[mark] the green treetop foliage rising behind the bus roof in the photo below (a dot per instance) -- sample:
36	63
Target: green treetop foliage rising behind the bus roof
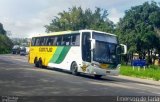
77	18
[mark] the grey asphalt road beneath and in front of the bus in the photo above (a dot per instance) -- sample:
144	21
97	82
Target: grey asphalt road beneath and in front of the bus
18	78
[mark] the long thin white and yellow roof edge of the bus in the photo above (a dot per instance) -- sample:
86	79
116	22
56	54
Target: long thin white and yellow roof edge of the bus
70	32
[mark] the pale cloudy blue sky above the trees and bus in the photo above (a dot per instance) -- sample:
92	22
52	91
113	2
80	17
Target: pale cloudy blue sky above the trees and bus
25	18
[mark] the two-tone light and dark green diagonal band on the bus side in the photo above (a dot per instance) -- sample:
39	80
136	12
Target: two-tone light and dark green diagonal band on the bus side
60	54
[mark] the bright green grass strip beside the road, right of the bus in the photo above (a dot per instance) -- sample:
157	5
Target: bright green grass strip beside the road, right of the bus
152	72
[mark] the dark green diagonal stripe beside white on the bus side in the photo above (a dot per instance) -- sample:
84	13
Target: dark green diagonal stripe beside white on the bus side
63	54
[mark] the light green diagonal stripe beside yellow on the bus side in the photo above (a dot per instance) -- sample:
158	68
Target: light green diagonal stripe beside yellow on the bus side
56	54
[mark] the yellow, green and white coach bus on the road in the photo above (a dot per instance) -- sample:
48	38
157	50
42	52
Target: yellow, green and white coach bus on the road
84	51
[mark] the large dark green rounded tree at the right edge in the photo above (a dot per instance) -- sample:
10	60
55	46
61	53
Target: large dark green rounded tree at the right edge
138	29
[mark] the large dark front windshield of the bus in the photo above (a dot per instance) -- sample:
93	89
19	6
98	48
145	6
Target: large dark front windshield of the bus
105	48
